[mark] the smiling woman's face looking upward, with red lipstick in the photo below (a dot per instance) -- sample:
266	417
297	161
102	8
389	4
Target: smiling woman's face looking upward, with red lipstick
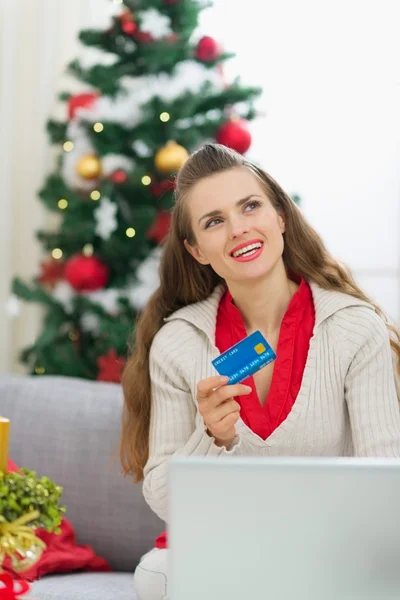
237	230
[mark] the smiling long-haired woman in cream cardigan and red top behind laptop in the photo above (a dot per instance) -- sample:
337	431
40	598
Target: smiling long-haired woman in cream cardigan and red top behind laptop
241	257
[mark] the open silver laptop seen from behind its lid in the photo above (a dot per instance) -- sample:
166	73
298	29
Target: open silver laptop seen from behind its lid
284	529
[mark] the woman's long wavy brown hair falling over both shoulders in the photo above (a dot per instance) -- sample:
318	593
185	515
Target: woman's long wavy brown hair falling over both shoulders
184	281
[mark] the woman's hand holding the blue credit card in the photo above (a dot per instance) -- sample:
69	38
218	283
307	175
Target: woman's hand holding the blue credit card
218	408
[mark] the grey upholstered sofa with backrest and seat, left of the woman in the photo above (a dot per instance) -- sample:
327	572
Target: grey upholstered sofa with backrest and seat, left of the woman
69	429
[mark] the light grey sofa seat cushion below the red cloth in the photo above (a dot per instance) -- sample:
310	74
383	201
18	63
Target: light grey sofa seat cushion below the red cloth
85	586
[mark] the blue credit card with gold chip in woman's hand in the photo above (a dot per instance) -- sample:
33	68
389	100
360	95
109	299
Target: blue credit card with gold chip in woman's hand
245	358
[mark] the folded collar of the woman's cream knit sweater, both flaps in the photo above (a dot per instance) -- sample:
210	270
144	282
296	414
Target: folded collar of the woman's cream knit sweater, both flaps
203	315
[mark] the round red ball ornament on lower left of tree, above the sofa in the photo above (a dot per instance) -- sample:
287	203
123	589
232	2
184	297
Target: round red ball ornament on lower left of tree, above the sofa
86	273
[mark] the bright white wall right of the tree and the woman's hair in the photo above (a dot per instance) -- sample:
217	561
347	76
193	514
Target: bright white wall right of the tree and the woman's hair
331	131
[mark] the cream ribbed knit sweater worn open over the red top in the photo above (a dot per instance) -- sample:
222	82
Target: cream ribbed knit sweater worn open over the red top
347	404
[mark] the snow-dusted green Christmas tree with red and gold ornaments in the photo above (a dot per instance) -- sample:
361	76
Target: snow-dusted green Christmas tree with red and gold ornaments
138	115
